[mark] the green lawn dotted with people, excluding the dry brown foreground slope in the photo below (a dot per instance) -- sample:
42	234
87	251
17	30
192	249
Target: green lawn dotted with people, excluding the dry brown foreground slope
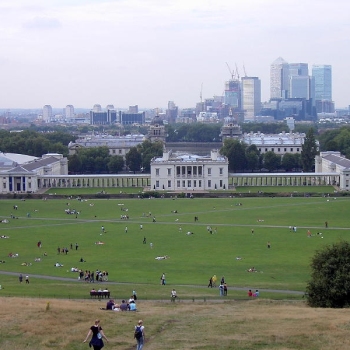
193	258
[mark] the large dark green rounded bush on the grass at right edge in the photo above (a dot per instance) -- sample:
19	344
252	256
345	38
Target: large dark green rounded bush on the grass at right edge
330	279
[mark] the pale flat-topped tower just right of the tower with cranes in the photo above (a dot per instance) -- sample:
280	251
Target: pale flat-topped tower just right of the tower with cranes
251	97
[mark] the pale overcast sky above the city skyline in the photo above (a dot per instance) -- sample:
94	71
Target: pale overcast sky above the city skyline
149	52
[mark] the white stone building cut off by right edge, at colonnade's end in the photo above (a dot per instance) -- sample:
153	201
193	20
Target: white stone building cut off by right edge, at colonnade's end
334	162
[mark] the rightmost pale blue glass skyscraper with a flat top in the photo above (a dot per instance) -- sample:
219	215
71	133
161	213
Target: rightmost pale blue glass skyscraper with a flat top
322	74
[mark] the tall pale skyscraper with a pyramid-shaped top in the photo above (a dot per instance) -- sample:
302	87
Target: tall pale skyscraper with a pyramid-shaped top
279	78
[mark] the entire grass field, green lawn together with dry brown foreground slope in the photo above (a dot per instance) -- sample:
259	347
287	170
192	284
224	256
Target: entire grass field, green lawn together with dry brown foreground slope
200	319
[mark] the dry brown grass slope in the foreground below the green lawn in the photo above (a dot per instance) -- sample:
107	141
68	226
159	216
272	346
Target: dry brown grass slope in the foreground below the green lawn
255	325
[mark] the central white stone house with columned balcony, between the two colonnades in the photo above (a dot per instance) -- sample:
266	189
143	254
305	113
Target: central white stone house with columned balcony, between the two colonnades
174	172
